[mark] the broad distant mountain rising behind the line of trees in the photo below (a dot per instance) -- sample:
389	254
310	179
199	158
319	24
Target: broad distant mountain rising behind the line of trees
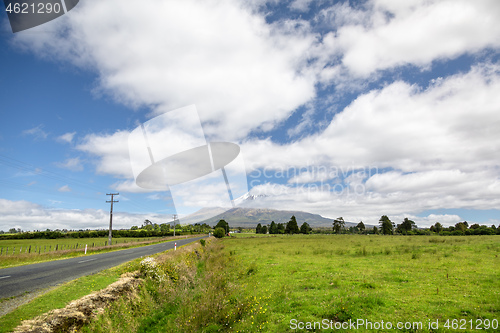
250	217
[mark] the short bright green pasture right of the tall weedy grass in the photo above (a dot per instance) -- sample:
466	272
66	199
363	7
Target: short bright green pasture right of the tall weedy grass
340	277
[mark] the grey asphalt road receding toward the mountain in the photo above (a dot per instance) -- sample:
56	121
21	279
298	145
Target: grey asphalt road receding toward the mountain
15	281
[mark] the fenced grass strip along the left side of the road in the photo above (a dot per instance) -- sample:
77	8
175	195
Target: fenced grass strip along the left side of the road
67	248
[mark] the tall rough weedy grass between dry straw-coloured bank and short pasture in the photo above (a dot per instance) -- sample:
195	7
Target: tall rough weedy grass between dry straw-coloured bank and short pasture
197	295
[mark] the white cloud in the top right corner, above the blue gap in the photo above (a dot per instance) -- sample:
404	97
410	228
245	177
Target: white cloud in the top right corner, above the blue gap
417	33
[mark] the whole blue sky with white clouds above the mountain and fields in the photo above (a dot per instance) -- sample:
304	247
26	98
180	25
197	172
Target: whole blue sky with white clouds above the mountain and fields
340	108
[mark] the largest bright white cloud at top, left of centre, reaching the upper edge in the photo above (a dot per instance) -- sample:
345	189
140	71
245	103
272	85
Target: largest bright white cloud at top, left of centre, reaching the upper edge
242	73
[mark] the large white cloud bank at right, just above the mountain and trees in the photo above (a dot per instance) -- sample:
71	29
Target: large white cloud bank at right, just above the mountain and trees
441	143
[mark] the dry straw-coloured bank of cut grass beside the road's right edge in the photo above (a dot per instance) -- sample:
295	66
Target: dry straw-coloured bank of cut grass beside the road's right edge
80	311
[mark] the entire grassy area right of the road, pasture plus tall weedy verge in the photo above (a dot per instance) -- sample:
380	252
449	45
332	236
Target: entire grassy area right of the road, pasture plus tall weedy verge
308	283
